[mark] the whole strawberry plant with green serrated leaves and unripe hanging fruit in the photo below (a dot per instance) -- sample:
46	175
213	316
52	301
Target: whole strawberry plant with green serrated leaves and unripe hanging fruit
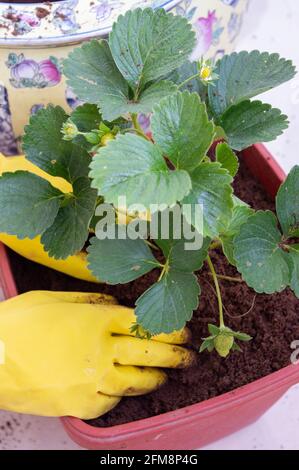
103	152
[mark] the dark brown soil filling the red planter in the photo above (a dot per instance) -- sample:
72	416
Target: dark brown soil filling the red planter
273	323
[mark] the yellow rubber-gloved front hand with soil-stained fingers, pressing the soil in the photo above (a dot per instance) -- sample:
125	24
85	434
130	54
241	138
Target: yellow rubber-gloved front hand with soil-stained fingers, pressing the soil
73	354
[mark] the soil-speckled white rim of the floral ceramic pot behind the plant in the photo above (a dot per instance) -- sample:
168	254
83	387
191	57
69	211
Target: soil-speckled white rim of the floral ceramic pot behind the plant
68	21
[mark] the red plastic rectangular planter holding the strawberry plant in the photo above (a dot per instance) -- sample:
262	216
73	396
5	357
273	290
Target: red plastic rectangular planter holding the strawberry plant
197	425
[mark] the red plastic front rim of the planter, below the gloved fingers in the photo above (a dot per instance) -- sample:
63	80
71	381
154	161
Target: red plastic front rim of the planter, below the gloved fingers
205	408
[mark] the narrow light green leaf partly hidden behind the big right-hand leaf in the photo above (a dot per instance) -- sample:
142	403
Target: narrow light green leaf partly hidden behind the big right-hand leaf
240	216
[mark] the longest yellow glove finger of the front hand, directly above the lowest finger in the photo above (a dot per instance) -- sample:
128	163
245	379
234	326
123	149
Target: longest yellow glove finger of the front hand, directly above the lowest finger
141	352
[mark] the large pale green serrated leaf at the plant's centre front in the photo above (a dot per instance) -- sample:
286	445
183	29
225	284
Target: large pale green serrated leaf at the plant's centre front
133	167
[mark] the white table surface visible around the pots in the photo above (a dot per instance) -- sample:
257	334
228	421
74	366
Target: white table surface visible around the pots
271	25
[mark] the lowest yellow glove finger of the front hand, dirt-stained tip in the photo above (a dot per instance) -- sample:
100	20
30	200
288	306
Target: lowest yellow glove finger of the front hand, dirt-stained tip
131	381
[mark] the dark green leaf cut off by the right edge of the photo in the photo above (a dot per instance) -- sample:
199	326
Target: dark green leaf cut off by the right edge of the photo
287	204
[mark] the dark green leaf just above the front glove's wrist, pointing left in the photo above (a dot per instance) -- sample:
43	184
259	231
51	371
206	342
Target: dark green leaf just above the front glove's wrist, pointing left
120	261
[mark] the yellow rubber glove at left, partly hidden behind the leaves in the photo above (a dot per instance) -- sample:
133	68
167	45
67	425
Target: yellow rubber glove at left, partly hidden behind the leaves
75	266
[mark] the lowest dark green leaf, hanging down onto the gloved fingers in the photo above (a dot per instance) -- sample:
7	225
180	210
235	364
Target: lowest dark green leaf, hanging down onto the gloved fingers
168	305
